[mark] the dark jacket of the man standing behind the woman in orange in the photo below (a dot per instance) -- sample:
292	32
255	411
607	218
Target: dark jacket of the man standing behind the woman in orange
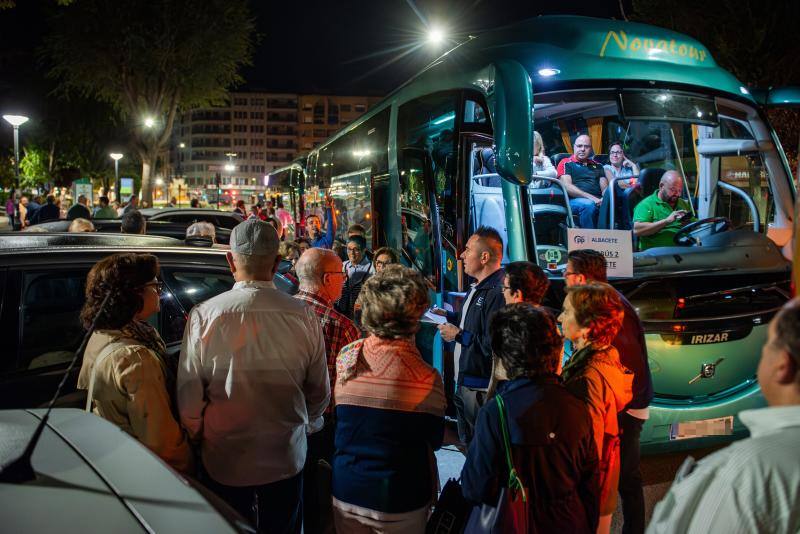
633	354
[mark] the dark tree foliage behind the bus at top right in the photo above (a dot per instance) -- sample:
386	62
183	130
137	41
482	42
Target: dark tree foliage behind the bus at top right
753	39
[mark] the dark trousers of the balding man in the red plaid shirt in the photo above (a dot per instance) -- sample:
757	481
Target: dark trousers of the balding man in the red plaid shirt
317	507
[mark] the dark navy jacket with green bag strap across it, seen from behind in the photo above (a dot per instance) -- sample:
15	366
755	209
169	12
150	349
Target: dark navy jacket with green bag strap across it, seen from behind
553	451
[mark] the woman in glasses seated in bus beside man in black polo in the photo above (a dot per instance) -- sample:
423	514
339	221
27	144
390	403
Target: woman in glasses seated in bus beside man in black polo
627	174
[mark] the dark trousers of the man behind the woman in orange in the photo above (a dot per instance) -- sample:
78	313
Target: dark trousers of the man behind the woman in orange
630	475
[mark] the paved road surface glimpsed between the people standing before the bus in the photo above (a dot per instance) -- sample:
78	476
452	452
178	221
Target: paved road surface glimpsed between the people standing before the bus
657	473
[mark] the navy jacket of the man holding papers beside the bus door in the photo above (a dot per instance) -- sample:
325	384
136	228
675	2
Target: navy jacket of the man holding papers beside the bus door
475	364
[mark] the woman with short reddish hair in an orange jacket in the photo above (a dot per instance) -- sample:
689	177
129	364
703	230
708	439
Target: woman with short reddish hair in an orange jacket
591	318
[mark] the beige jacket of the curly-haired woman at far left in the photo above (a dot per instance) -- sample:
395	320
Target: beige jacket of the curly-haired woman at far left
130	391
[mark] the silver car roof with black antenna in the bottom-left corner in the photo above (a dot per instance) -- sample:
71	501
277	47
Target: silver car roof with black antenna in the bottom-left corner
94	477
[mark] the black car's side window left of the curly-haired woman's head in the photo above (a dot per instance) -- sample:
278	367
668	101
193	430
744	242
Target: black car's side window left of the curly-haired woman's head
49	315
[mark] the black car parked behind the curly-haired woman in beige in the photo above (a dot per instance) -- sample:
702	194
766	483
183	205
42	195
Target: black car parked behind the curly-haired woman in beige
43	277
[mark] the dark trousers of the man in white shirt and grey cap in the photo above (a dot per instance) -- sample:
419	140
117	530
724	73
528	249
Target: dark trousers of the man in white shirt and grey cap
275	508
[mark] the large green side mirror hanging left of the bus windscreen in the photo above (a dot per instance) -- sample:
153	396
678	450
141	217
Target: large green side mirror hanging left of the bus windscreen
511	104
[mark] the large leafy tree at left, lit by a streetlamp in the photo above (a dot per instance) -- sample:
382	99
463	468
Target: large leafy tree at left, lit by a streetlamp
148	59
